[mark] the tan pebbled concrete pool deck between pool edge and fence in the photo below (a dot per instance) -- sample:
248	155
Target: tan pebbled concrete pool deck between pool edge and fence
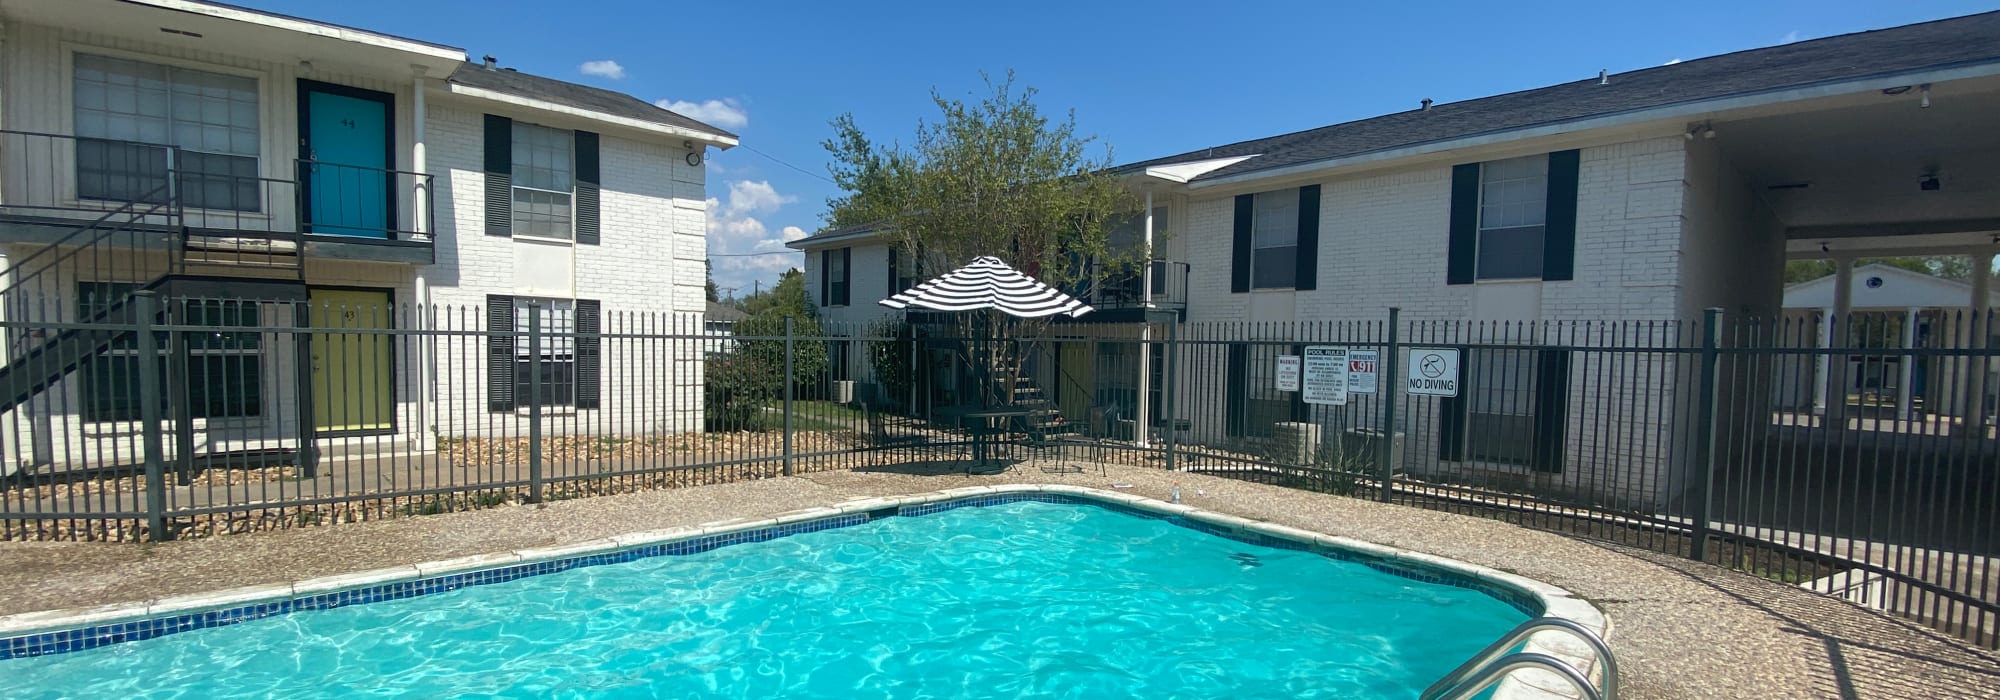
1681	629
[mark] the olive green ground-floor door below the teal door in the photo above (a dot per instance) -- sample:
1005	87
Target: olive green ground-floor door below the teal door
353	369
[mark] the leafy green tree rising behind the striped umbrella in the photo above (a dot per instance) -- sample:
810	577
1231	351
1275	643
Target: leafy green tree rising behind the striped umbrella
987	179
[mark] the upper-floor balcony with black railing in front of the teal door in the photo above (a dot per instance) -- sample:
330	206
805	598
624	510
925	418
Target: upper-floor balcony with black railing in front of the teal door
55	183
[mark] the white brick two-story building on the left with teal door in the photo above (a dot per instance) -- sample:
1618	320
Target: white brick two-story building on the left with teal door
277	165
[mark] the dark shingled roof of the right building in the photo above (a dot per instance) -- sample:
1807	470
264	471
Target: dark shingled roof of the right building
1847	57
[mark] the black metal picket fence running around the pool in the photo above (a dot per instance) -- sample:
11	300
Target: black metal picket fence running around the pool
1849	457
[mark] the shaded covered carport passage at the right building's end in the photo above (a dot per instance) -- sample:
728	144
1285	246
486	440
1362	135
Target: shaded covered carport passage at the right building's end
1901	171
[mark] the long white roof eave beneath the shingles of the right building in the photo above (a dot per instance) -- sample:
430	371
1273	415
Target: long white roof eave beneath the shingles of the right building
1981	69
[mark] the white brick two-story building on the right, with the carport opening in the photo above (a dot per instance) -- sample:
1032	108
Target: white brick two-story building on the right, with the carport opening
1649	195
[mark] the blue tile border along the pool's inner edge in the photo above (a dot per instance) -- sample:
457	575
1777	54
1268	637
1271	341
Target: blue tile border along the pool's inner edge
133	631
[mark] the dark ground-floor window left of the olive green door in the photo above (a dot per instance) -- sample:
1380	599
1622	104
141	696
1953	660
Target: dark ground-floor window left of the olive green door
225	369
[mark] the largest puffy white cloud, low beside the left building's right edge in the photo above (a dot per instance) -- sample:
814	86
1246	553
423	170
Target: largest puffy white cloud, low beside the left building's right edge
735	229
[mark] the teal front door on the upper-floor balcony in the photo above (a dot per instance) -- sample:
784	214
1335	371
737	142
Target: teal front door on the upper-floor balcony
345	145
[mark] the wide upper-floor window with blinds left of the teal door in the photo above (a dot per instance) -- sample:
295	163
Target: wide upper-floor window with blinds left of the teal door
127	117
